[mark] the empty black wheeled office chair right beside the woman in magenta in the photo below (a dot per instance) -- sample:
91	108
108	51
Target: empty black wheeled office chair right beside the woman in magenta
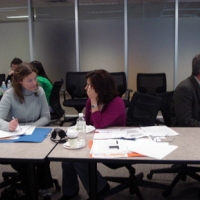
142	111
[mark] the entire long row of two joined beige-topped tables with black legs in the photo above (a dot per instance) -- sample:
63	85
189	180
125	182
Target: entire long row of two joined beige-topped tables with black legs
187	153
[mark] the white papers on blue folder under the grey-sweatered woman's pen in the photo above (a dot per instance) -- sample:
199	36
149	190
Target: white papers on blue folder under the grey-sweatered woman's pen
21	130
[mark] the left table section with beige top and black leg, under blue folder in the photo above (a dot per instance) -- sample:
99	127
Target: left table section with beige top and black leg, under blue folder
29	153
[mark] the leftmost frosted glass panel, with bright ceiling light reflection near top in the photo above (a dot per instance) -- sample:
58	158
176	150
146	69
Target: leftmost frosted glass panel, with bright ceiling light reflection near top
14	33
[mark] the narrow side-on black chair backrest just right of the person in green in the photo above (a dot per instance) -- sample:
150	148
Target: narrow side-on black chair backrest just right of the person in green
54	100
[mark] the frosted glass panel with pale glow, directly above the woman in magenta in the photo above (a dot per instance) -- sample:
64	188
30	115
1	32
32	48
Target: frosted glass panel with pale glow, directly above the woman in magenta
101	28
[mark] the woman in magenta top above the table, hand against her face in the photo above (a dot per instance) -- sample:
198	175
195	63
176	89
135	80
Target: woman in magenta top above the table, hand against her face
104	107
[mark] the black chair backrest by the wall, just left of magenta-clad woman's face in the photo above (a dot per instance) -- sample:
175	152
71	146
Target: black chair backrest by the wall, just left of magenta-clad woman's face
75	84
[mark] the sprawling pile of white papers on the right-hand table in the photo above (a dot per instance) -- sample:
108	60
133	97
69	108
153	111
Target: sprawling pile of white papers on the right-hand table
153	141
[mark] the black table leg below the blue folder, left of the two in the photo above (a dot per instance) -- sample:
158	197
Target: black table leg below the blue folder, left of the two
33	194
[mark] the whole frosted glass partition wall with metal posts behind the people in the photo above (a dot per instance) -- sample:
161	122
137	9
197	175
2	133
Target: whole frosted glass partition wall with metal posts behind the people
153	30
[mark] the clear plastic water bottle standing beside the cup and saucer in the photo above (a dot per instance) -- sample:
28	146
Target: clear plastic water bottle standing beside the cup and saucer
81	128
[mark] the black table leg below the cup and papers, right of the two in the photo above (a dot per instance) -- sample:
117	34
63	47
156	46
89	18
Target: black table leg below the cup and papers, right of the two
93	180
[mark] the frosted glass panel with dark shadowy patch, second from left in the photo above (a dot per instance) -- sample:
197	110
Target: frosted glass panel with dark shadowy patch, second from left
54	37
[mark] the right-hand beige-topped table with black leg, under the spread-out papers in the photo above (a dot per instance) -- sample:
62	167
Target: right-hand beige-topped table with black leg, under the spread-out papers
187	152
